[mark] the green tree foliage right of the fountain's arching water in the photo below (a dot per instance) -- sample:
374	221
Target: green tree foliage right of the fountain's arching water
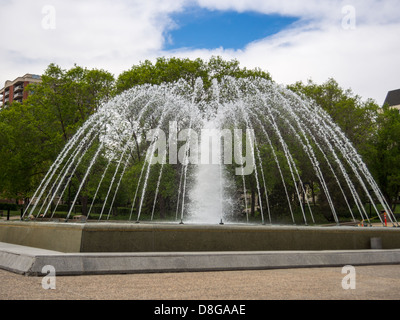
374	131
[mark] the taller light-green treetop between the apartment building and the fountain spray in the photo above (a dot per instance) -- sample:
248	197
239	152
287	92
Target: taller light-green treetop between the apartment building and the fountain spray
66	98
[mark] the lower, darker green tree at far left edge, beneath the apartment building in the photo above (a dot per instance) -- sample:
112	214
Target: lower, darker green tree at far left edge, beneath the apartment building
25	151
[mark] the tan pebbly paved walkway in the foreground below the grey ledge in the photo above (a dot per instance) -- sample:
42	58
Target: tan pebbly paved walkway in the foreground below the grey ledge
372	283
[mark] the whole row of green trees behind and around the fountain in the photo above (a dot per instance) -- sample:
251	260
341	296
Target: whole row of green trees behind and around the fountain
33	133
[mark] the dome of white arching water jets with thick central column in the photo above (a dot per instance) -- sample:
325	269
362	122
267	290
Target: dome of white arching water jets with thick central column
284	134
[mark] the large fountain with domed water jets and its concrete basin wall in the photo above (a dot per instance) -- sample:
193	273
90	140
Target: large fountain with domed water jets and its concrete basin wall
213	147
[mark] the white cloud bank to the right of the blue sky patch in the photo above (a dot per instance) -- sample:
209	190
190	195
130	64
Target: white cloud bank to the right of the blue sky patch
363	58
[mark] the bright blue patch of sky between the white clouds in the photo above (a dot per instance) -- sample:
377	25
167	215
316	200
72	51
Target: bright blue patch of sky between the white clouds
200	28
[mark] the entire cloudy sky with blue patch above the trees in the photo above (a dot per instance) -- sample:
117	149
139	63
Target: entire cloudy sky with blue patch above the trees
356	42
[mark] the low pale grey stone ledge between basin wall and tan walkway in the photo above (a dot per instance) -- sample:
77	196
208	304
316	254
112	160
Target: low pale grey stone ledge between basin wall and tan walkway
30	261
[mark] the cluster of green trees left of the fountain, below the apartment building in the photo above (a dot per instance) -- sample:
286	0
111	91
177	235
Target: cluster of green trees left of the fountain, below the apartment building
33	133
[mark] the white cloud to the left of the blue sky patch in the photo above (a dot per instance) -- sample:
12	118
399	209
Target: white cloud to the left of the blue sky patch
112	35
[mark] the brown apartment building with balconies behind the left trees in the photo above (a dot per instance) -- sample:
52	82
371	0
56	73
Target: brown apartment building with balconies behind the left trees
14	91
